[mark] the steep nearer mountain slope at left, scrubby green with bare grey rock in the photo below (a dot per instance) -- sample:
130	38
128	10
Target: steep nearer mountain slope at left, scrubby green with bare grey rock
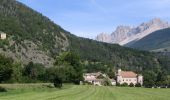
30	35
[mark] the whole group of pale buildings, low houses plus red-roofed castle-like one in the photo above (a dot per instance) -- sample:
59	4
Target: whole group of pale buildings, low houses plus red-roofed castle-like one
129	78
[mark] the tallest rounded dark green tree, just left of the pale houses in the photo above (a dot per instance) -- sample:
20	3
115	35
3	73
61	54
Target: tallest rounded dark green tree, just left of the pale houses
72	61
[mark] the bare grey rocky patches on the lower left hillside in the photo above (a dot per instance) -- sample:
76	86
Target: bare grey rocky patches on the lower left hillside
28	51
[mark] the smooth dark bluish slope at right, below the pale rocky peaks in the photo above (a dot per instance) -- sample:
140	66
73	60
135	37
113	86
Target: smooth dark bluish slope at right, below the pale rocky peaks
155	41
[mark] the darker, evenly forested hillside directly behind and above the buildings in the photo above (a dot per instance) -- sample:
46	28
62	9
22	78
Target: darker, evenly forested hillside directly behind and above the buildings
115	55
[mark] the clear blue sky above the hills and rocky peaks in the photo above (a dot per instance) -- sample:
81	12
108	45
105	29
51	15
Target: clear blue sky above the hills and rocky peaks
88	18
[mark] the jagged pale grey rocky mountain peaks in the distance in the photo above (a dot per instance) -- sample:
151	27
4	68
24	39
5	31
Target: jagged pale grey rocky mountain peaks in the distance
125	34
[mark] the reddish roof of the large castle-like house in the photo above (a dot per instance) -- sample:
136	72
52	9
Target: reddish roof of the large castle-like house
128	74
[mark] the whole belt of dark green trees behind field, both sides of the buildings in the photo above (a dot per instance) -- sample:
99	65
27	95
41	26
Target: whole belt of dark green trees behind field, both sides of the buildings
68	68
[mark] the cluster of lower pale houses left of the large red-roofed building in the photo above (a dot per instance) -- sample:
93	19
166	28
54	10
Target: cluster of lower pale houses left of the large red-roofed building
97	78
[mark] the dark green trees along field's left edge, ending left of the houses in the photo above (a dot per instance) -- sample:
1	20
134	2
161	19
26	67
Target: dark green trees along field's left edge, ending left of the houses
67	68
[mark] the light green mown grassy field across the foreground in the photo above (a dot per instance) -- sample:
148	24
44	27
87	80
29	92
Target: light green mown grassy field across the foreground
73	92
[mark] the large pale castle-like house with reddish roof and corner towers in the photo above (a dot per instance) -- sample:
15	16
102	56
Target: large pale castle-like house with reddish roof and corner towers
129	77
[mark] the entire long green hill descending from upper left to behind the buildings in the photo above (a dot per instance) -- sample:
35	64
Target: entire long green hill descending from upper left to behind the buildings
33	37
